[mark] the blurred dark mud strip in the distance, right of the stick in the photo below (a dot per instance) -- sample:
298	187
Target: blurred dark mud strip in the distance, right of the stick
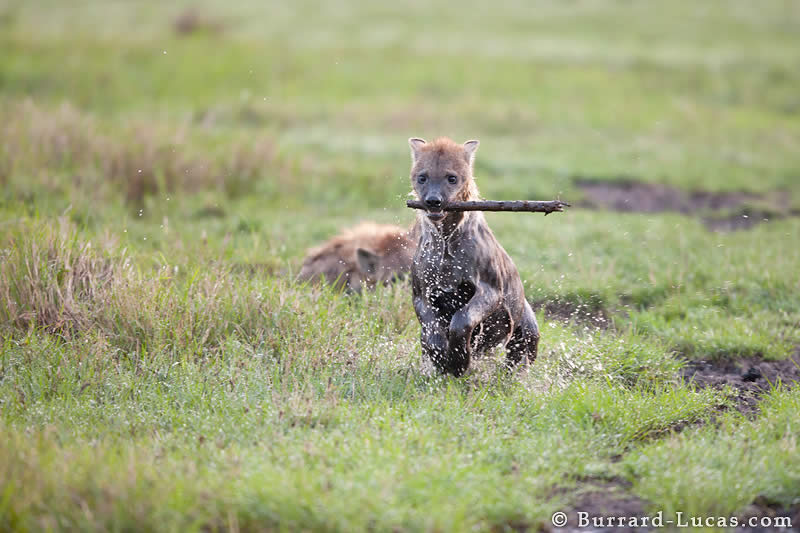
627	195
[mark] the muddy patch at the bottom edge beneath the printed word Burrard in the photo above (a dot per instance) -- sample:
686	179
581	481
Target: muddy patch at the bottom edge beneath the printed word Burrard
605	502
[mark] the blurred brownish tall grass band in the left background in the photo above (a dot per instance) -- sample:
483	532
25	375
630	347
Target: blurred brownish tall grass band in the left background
63	146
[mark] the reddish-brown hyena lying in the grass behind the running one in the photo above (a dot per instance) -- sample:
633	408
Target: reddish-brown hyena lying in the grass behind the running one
364	256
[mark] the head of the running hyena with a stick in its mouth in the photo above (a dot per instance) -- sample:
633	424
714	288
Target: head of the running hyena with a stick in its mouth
441	172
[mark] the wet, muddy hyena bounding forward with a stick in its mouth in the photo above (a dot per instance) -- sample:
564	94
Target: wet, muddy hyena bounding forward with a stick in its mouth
467	293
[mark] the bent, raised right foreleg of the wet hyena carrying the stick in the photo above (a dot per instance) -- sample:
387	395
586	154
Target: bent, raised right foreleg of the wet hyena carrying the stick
464	321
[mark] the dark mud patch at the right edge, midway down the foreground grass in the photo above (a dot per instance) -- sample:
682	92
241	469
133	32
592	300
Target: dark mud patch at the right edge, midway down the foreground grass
750	377
